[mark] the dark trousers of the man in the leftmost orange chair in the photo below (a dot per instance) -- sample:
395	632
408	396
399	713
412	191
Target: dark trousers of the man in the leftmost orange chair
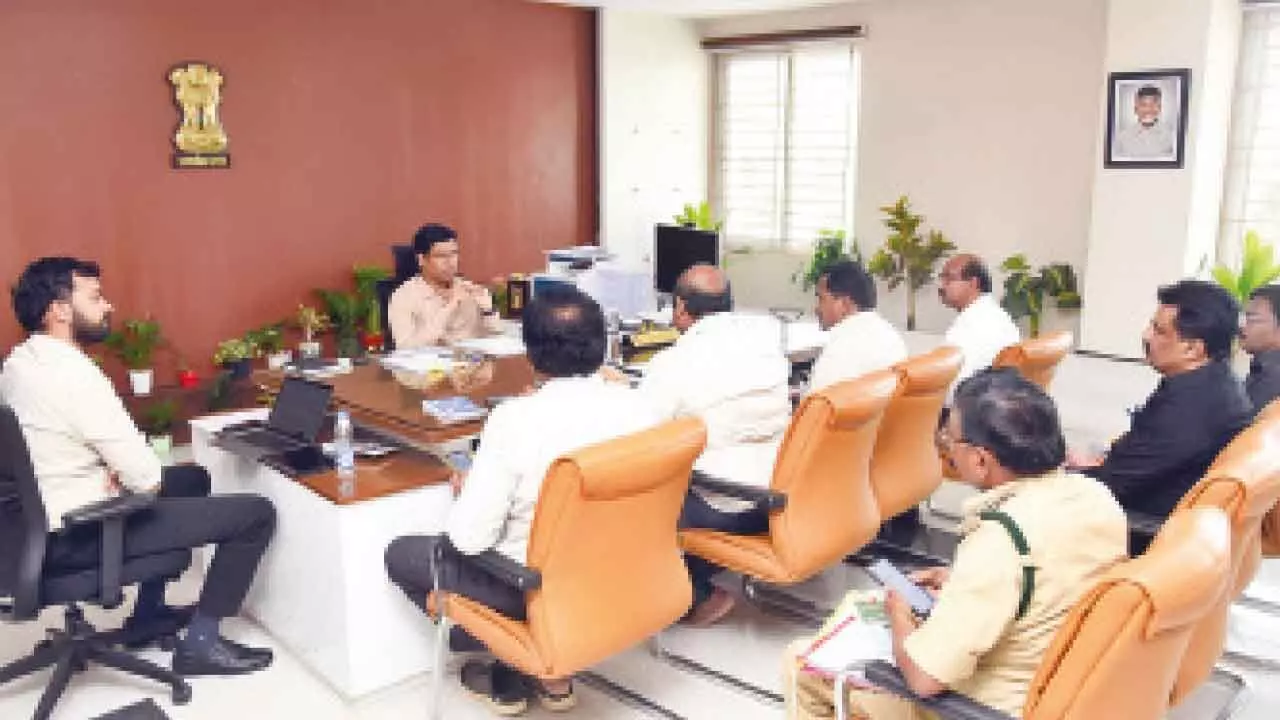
409	564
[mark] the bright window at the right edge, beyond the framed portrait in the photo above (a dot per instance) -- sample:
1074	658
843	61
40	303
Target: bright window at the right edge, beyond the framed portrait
1252	199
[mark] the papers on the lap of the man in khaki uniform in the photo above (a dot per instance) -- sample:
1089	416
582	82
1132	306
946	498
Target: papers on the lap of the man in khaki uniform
856	635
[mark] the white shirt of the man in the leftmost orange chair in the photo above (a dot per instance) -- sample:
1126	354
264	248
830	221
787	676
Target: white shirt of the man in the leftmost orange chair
522	440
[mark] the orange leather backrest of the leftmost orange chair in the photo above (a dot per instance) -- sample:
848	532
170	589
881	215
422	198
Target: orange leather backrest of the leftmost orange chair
605	541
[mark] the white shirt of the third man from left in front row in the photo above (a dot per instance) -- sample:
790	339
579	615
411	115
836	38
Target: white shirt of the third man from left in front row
861	344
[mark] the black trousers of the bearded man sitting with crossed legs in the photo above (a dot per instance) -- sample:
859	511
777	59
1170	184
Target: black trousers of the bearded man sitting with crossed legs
185	517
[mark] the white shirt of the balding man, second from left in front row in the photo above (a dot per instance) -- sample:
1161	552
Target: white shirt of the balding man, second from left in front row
728	370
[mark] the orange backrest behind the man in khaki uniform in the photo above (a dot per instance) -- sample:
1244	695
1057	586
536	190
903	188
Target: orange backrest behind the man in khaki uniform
1118	653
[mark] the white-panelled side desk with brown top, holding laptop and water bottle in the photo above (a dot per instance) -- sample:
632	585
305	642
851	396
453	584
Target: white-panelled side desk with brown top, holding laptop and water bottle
322	590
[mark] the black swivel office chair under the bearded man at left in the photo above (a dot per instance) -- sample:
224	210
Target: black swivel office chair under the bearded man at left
28	587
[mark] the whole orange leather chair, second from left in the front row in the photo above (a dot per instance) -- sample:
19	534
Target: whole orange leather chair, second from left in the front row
825	508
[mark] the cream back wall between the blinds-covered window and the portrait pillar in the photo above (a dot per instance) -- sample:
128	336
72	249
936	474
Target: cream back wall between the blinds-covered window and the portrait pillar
984	112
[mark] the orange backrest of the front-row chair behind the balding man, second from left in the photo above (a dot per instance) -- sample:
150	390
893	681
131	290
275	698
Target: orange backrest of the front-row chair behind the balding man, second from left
824	468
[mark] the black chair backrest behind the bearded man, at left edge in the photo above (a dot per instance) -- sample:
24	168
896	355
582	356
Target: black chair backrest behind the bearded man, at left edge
24	526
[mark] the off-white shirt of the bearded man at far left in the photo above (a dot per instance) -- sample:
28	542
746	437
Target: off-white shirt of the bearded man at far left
76	427
